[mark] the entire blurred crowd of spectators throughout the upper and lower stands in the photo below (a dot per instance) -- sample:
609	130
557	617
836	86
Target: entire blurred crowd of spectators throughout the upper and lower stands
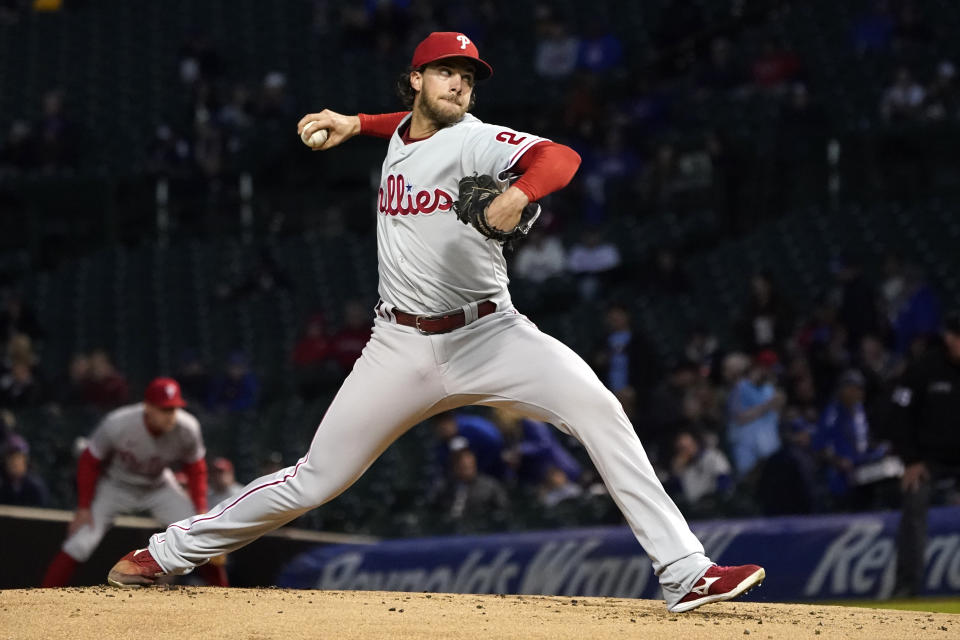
787	413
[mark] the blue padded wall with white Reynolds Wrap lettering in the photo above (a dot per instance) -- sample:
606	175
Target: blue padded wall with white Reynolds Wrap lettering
806	558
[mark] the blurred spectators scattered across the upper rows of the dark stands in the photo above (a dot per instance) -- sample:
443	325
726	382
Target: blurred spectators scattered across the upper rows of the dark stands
632	110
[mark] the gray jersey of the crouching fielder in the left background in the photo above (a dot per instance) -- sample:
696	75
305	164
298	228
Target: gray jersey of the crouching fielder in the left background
133	455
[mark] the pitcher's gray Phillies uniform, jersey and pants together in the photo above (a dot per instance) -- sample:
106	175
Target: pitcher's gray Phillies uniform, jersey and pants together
431	263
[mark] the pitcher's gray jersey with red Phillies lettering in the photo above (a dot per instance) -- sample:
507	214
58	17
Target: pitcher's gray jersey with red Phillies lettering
429	261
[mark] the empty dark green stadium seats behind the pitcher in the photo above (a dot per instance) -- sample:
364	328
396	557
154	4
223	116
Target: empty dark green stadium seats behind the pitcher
85	252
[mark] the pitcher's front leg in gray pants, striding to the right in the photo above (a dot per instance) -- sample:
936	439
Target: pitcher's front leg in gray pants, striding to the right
541	377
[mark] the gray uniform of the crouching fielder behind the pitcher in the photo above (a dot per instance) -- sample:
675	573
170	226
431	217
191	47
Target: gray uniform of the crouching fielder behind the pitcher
136	473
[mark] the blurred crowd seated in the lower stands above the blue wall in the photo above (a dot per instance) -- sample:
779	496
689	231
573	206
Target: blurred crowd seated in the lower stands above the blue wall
790	414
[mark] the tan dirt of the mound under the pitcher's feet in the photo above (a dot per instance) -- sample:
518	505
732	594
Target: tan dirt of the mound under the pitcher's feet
104	613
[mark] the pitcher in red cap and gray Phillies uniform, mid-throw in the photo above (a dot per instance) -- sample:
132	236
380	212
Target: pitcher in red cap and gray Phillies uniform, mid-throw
446	335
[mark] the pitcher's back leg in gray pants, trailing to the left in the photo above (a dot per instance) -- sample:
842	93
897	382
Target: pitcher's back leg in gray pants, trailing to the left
393	386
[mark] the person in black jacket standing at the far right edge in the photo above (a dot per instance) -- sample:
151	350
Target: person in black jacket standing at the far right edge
925	429
